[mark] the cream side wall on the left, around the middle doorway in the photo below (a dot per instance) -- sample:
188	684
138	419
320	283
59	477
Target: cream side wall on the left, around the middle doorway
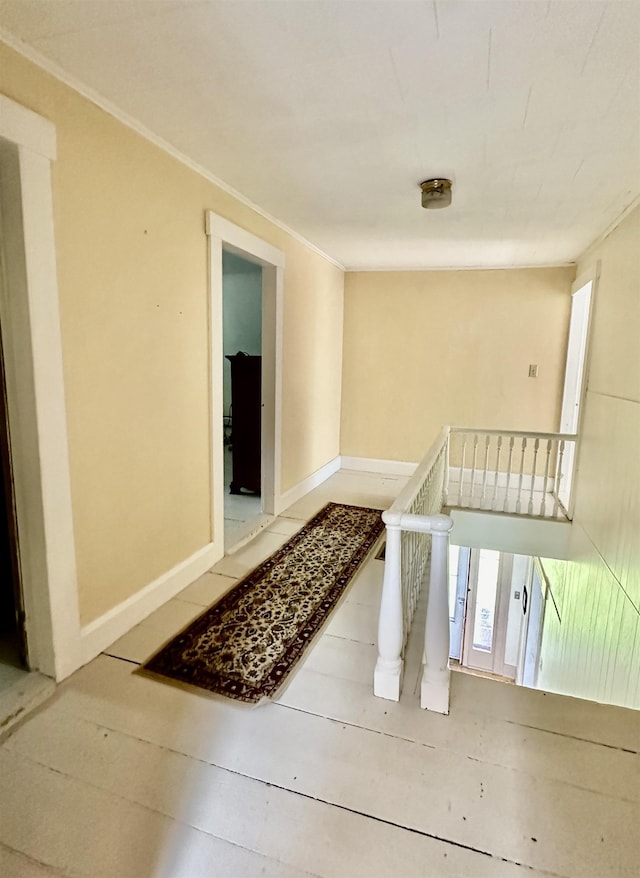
132	274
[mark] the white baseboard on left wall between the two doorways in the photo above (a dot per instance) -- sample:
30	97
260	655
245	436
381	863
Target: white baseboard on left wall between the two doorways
103	631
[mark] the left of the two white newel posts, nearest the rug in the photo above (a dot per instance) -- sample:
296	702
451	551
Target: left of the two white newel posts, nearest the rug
387	678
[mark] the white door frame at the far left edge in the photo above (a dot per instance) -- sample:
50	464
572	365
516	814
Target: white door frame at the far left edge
36	411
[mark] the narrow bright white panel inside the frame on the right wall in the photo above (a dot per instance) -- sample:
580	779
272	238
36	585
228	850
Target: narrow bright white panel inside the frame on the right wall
574	382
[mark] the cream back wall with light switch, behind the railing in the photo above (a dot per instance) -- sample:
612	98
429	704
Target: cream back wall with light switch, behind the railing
425	349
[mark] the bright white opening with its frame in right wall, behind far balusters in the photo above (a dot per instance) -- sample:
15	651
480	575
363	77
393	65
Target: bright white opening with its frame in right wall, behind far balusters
574	391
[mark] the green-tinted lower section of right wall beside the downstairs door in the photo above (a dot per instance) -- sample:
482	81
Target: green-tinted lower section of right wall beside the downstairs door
593	649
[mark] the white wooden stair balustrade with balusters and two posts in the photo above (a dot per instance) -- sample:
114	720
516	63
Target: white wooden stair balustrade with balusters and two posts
522	472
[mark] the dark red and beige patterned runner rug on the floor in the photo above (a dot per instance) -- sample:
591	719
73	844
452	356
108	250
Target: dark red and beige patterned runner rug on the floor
247	644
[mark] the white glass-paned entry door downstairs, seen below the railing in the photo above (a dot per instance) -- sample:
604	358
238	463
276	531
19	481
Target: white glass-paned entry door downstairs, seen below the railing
496	602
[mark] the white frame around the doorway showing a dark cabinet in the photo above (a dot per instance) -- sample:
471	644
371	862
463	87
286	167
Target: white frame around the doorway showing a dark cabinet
222	233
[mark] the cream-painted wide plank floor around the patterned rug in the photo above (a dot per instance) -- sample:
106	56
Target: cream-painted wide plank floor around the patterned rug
123	776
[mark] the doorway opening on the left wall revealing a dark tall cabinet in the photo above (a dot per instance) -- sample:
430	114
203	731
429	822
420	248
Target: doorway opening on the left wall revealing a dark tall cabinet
242	394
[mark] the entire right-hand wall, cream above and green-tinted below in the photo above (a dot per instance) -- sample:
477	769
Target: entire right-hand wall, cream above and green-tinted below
594	651
